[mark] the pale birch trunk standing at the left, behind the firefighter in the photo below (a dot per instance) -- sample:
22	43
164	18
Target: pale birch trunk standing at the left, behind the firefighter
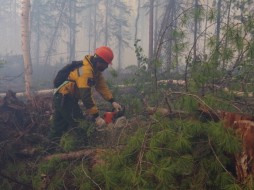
25	41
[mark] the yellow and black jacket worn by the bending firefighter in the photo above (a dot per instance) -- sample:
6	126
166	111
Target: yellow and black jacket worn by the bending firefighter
82	80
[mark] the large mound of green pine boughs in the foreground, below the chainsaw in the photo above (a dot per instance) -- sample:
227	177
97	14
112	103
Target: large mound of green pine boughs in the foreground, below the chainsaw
173	155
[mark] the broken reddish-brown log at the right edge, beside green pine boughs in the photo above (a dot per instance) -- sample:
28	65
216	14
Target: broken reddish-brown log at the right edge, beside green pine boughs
243	125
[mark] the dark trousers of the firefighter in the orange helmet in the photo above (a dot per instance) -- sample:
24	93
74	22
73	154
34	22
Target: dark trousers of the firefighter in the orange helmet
67	113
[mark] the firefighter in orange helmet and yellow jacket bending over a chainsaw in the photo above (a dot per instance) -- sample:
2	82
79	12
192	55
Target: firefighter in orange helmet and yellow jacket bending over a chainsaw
79	87
